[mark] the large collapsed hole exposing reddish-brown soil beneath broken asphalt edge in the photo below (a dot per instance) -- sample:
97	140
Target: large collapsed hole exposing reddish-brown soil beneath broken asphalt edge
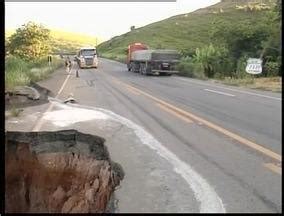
63	171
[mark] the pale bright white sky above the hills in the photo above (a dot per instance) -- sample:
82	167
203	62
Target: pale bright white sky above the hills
101	19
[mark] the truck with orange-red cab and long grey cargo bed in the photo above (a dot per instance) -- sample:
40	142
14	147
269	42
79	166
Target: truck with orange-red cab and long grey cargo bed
146	61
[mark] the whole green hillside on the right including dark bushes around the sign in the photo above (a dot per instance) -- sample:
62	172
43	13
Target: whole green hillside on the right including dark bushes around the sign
216	41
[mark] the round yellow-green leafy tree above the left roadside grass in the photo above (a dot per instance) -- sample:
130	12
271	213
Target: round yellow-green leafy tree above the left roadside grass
29	42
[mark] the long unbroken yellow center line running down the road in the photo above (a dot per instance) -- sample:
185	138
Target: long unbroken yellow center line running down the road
230	134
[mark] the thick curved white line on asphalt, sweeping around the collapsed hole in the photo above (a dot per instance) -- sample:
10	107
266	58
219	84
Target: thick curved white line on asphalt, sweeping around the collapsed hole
209	200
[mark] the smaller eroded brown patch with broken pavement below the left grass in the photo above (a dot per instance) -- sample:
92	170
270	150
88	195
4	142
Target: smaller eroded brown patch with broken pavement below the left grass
22	98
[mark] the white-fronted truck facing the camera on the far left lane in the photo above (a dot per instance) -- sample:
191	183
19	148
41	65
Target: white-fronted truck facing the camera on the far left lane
87	57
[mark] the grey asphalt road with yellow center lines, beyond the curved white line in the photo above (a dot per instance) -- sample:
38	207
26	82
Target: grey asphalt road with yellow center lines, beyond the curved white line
229	136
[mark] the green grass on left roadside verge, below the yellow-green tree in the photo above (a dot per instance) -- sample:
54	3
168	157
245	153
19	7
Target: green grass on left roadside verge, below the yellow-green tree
20	73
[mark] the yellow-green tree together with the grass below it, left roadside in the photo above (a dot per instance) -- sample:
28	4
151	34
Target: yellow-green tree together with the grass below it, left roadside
26	56
